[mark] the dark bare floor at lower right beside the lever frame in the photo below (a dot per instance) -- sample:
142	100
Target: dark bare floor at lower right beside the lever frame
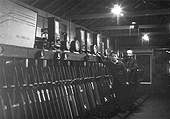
156	106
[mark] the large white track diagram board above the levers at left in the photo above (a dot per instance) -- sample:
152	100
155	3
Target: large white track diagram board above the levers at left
17	24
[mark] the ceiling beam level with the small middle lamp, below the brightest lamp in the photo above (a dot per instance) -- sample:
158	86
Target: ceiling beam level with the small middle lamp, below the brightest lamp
128	26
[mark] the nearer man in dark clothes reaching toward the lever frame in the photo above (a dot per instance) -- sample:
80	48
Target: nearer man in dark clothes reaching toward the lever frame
118	71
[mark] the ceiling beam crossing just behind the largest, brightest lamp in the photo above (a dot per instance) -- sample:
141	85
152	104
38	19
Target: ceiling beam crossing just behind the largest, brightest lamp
127	14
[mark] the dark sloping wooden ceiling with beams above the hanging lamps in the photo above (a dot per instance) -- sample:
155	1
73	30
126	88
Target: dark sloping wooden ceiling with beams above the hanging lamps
152	16
